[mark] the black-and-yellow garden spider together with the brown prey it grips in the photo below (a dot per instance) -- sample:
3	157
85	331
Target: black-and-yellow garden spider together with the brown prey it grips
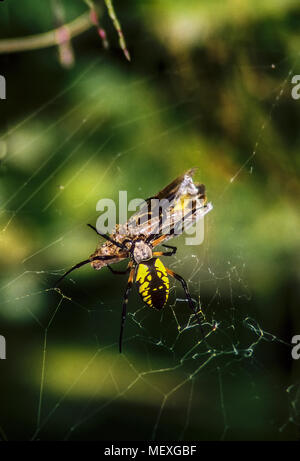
139	236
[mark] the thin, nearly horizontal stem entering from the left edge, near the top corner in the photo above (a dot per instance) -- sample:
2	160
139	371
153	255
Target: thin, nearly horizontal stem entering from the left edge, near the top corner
34	42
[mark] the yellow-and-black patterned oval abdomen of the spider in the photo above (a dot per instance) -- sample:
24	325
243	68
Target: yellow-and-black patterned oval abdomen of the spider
153	283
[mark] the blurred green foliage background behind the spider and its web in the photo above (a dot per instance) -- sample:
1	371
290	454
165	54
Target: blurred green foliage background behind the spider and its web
209	85
